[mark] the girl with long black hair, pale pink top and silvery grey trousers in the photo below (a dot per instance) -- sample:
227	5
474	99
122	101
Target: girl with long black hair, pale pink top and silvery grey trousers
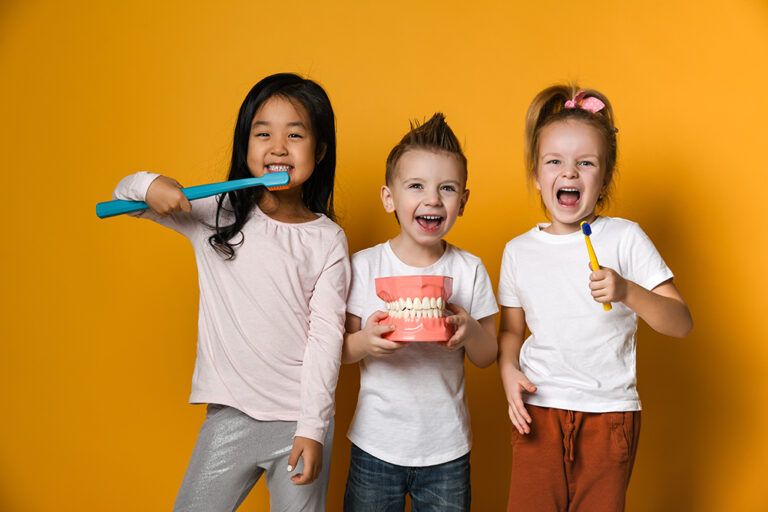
273	275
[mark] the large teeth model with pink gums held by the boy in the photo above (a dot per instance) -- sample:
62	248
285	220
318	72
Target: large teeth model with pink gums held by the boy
416	307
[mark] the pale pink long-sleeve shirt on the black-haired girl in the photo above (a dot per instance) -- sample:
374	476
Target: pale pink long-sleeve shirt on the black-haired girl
271	320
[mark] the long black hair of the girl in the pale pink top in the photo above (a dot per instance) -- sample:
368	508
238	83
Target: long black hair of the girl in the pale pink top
317	191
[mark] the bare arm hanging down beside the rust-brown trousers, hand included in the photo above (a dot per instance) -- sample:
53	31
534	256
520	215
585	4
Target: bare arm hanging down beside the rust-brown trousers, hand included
511	337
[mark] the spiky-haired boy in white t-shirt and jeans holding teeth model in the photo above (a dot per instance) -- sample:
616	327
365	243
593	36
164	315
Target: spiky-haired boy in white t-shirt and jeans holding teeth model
411	432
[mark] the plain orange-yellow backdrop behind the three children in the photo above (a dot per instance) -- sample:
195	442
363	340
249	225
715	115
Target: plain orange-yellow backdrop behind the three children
98	317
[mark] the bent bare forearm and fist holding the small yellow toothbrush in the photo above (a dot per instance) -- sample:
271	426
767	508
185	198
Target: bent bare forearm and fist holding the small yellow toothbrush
662	308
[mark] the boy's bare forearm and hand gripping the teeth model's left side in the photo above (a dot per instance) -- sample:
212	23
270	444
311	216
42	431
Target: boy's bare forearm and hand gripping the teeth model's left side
360	343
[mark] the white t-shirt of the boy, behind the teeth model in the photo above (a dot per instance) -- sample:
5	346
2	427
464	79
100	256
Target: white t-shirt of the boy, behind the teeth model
411	409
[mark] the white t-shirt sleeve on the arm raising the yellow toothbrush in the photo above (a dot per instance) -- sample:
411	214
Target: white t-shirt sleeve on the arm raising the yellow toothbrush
644	264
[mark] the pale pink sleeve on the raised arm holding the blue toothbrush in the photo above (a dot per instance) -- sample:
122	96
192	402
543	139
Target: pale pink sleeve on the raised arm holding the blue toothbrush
134	188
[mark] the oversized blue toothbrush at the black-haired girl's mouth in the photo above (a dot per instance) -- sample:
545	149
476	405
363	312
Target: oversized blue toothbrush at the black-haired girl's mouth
273	181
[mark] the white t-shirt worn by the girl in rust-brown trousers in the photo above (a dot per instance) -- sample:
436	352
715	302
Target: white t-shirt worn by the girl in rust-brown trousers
579	356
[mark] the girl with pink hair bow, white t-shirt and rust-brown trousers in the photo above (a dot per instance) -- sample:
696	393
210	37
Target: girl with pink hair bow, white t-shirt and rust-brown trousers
571	385
